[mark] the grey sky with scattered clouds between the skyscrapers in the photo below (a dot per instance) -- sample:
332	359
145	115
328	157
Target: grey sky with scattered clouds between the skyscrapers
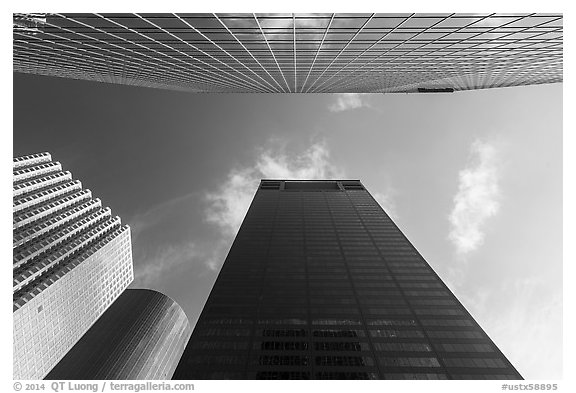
473	179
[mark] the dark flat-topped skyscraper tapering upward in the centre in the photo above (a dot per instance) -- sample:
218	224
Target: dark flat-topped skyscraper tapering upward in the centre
321	284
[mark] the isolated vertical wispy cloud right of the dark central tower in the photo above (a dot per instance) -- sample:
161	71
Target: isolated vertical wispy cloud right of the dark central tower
477	198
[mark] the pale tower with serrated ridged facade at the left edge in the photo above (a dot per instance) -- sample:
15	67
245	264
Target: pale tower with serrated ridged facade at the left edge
71	260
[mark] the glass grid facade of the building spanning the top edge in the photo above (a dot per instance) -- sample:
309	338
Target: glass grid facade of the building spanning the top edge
294	53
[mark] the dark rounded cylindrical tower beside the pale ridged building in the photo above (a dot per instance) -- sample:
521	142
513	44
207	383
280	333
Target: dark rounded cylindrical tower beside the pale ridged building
141	336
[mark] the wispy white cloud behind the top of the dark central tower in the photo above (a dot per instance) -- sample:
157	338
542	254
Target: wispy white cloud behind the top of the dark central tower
228	205
